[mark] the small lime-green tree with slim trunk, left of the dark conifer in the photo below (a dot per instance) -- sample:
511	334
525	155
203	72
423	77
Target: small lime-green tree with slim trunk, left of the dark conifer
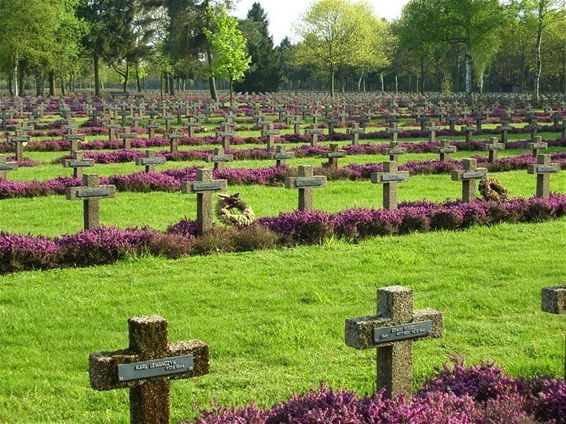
229	58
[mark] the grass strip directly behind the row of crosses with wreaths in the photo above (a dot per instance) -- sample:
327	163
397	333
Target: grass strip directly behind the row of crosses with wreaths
55	215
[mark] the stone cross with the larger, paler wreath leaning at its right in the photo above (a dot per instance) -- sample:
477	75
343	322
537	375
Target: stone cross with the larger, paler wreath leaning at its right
204	186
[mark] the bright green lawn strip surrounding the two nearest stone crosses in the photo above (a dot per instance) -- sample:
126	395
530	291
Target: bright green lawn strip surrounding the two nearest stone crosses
274	320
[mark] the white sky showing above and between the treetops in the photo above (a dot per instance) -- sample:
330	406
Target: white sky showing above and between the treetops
282	14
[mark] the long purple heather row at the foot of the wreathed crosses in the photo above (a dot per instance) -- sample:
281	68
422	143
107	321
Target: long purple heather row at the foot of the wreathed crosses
106	245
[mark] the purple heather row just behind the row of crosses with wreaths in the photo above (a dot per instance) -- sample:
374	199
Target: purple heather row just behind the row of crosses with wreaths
171	180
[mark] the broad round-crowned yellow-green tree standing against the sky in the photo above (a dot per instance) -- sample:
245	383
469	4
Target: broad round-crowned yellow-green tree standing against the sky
335	35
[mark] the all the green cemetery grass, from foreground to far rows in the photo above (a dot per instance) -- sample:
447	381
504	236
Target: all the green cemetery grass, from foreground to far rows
273	319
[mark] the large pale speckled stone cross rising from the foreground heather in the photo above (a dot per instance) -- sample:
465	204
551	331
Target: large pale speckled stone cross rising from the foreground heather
392	332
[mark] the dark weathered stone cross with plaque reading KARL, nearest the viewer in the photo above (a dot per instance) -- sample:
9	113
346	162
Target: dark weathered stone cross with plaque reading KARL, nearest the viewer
147	367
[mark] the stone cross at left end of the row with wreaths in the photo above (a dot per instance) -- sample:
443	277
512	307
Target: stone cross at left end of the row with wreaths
90	193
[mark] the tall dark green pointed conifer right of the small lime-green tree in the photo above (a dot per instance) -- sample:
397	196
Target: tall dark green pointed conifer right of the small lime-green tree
265	72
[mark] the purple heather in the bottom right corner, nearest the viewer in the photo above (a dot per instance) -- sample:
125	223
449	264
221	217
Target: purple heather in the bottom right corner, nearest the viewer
456	395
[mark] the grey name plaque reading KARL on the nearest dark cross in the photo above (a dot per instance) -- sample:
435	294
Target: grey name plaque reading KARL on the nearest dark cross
155	368
